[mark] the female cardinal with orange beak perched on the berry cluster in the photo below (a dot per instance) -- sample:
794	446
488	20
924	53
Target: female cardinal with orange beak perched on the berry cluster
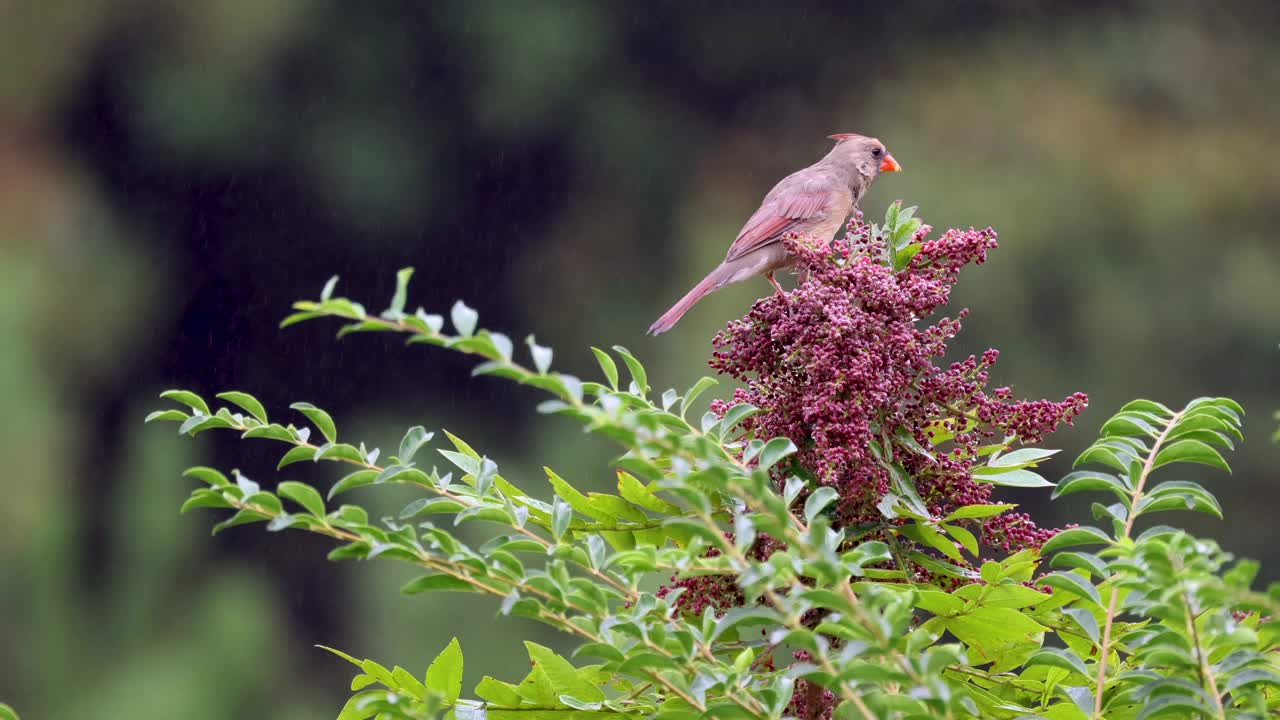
815	202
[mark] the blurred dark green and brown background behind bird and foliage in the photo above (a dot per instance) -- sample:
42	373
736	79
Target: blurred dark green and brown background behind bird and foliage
175	174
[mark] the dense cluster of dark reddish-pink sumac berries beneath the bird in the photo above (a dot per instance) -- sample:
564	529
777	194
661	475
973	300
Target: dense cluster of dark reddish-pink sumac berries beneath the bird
848	367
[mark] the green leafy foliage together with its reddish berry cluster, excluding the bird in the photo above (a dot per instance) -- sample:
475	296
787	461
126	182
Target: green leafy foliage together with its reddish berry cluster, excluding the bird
830	539
